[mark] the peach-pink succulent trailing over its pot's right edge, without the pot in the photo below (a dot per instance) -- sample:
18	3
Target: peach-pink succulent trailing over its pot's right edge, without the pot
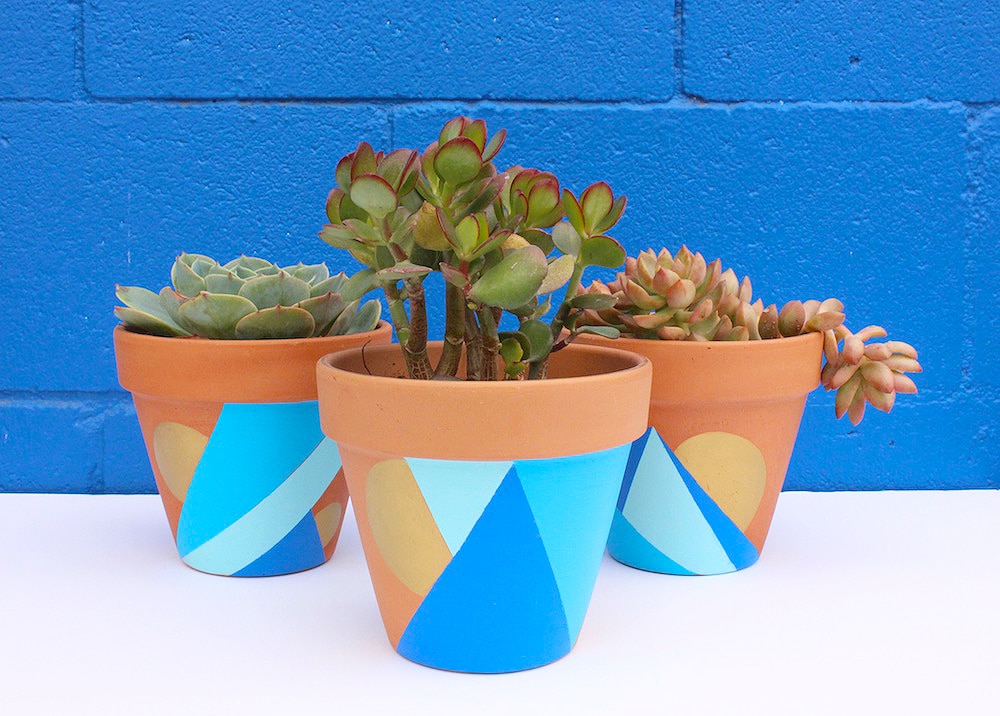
683	297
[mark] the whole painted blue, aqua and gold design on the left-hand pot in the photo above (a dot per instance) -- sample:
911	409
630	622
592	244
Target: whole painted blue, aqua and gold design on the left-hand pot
262	495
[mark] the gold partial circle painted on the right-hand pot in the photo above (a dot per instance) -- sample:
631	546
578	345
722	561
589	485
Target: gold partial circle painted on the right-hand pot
730	469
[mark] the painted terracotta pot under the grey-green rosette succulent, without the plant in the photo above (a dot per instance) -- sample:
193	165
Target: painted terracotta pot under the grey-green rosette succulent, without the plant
249	484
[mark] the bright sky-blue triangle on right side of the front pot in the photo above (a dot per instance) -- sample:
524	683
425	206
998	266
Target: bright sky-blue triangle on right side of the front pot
573	500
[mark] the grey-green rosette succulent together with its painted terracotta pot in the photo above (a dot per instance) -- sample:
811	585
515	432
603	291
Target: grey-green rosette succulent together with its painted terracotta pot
221	367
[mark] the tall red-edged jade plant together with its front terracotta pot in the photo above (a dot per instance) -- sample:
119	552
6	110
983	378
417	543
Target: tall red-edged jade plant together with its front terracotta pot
483	483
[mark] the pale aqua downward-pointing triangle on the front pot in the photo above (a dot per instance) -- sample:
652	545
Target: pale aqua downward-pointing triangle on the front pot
457	492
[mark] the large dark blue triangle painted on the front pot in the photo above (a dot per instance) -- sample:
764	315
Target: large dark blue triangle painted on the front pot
496	606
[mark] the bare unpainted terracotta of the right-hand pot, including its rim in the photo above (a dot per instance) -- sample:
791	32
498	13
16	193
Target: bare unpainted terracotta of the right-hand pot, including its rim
754	389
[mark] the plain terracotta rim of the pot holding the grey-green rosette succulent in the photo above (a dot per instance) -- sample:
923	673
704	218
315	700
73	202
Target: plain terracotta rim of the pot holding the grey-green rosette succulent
266	371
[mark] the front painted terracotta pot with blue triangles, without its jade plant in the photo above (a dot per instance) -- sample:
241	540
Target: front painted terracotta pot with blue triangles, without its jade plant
484	507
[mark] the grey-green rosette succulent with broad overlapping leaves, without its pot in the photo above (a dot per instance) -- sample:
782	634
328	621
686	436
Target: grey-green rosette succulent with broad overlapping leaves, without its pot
248	298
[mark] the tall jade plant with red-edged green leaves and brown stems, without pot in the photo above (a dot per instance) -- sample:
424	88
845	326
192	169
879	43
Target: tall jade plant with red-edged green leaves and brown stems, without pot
496	237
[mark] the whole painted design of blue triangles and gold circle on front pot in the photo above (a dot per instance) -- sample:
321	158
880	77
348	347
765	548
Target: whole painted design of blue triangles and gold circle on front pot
509	553
